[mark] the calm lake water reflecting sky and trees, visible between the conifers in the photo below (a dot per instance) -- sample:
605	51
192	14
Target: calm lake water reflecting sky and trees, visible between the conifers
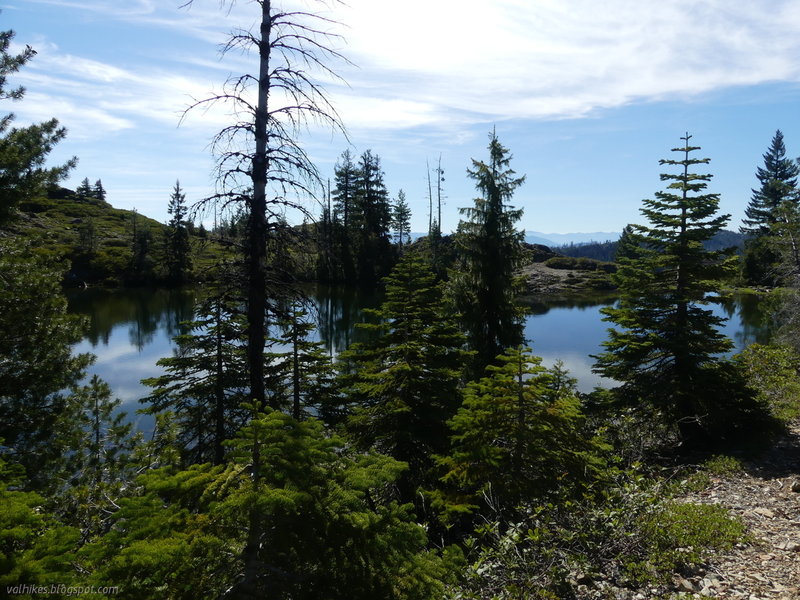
131	329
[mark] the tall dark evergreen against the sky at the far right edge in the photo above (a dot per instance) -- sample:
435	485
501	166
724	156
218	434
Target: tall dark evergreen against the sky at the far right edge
778	187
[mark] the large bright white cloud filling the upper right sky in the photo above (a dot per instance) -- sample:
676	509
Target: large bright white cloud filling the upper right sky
551	59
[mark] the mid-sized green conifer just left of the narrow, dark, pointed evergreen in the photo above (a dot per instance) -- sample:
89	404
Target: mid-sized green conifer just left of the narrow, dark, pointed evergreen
405	384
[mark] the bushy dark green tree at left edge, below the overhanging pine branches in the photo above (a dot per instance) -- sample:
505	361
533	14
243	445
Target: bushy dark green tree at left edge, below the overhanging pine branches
36	360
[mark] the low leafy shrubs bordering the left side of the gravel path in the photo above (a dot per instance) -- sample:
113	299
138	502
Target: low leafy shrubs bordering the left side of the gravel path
629	535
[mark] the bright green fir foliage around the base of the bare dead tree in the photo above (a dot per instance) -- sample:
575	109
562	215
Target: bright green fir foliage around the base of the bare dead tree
316	515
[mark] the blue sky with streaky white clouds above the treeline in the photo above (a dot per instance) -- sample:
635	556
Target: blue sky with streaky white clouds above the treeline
586	95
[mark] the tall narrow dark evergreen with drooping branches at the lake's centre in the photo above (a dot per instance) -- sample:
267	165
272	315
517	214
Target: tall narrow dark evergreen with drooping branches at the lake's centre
484	284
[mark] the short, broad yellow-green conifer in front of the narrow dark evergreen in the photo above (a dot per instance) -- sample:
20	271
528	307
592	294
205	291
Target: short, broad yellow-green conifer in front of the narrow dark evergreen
519	436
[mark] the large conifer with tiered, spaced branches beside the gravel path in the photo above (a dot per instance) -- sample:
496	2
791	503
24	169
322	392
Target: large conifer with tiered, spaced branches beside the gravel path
666	347
